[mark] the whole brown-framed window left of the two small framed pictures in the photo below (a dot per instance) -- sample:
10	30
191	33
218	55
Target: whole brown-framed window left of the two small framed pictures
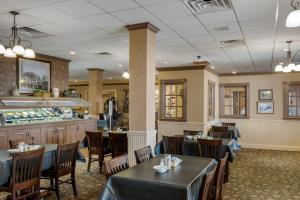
234	100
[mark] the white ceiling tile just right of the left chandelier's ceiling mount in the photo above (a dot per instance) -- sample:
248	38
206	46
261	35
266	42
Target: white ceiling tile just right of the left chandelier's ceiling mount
47	13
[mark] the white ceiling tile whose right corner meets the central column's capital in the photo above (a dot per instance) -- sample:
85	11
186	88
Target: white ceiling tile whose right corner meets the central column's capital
104	20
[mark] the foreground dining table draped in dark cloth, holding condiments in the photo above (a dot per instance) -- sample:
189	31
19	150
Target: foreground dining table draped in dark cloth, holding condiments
142	182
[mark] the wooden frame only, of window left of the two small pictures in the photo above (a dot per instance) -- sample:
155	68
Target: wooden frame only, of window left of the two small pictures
221	100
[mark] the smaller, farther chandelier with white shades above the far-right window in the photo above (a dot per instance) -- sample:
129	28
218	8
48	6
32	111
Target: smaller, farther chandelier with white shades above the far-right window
288	66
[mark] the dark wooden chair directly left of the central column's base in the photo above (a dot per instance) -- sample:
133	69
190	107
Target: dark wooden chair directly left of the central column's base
119	144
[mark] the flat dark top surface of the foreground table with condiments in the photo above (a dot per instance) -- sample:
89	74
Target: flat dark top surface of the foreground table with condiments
181	176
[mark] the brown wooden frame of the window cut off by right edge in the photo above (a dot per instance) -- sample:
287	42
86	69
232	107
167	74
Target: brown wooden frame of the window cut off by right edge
286	99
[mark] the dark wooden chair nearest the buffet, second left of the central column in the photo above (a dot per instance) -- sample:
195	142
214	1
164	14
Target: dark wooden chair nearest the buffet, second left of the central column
95	147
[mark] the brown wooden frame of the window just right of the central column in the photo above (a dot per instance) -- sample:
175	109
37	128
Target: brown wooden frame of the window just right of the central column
162	93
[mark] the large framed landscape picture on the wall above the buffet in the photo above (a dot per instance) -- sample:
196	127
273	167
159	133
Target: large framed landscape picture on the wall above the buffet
33	75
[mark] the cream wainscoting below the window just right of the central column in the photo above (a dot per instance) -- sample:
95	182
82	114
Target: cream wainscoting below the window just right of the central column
169	128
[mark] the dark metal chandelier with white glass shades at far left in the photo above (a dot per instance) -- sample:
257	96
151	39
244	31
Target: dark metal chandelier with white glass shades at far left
15	46
